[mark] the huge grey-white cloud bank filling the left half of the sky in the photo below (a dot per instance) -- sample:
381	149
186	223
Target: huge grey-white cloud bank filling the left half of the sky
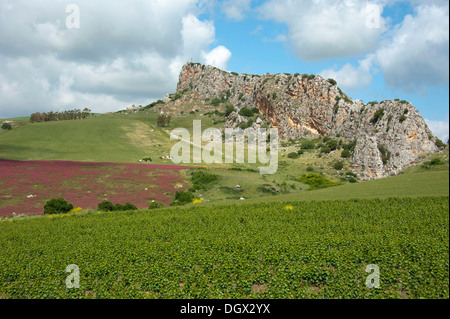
123	53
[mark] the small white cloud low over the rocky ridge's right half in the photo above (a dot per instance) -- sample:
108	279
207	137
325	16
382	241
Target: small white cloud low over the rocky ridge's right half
349	77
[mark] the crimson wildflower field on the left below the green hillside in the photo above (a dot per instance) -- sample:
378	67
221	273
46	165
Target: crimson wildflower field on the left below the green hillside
26	186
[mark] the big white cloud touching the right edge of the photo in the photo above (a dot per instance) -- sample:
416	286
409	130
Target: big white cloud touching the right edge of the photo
417	52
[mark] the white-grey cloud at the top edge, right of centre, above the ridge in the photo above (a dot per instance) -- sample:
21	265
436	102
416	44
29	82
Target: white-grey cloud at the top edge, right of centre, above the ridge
324	29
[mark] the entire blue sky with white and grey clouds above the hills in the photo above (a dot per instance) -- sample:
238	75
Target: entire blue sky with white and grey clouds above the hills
131	52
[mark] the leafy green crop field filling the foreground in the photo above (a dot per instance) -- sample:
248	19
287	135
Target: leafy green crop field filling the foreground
267	250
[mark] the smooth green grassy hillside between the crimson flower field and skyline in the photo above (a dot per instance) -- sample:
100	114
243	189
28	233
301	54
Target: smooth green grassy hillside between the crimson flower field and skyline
99	139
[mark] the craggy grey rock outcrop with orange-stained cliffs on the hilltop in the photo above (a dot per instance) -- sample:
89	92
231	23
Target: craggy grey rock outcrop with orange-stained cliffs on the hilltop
390	135
